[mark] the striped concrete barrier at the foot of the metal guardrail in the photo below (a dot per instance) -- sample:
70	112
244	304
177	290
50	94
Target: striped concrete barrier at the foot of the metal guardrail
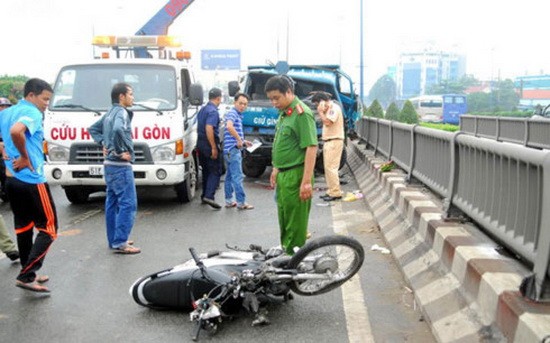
465	283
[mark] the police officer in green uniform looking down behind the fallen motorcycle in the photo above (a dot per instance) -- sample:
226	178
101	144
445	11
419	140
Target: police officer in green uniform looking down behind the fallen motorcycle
294	152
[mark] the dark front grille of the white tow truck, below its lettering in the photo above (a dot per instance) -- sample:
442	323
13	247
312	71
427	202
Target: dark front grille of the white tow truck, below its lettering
92	153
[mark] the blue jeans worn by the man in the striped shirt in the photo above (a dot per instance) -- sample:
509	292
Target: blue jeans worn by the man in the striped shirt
234	176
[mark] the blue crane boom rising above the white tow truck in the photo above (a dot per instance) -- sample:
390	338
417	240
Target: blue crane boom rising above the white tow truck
160	22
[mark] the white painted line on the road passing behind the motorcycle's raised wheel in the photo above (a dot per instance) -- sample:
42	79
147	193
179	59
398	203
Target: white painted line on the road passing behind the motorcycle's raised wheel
357	315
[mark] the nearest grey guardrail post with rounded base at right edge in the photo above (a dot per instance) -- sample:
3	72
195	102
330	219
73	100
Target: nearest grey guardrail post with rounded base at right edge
537	286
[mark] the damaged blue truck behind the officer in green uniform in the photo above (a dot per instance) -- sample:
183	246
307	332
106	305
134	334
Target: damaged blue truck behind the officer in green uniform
260	118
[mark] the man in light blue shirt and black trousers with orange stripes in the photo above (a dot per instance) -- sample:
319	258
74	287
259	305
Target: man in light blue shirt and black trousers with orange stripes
31	201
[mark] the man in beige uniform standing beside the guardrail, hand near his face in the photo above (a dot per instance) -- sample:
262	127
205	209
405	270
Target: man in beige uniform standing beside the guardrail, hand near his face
333	137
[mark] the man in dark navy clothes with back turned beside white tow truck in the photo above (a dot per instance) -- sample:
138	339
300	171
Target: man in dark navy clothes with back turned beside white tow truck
208	143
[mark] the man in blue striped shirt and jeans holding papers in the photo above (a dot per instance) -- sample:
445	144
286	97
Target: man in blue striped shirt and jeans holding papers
233	143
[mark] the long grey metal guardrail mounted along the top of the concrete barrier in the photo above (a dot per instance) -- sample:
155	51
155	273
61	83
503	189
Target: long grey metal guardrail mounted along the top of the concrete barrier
504	187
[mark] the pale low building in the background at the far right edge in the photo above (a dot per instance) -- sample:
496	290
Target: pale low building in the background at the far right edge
533	90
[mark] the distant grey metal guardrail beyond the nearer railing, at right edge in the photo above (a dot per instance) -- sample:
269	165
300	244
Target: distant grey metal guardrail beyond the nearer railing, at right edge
531	132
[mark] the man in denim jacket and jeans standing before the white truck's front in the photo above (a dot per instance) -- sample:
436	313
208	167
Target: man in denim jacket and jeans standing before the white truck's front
114	132
